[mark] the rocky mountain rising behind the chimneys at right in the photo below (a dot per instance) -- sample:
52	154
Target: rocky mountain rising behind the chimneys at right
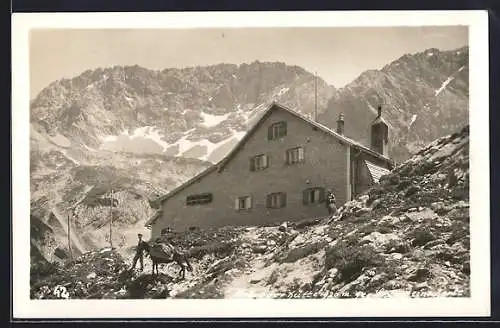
424	96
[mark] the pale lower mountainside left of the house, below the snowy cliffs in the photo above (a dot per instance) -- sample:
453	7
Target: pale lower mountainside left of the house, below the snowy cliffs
68	182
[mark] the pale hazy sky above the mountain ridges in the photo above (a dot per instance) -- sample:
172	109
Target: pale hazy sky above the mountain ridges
336	54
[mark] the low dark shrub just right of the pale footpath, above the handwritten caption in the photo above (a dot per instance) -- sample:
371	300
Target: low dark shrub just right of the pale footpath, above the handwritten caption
350	261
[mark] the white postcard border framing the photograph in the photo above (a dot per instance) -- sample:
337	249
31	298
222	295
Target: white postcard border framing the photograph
477	305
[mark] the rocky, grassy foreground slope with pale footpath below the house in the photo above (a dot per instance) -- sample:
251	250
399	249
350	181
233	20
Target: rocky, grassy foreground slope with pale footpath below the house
408	236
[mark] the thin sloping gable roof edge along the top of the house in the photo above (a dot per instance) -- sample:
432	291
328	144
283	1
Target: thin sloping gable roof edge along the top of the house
274	106
